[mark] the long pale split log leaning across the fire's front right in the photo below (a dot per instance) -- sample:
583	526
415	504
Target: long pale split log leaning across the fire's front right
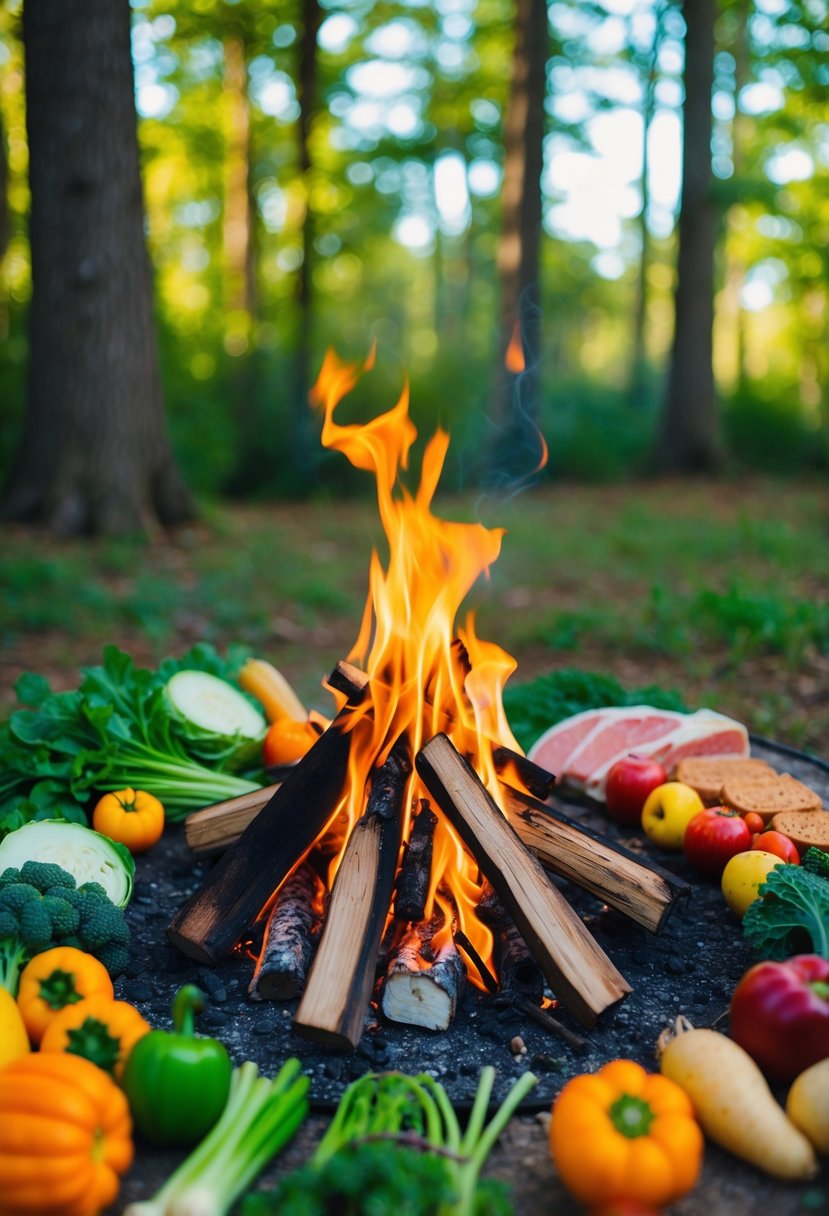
577	969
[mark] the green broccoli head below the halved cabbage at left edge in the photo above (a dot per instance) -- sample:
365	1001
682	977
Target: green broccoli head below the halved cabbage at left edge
42	908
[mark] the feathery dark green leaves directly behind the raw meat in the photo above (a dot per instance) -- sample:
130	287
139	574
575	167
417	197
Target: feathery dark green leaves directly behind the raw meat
534	707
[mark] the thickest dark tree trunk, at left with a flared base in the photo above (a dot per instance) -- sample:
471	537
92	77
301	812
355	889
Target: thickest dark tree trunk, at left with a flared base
95	455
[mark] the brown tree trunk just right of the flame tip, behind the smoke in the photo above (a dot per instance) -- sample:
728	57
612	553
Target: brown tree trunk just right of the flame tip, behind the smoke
515	444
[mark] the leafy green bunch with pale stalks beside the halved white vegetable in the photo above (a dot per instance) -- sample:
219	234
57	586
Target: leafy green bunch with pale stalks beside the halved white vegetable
115	731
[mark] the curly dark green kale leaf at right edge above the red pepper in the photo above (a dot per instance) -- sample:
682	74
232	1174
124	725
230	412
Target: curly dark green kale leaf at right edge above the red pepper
792	916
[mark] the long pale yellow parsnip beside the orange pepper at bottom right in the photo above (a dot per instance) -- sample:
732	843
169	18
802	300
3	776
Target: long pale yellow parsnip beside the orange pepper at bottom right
734	1104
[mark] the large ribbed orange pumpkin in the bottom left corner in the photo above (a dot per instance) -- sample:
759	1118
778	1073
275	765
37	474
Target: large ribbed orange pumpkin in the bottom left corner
66	1138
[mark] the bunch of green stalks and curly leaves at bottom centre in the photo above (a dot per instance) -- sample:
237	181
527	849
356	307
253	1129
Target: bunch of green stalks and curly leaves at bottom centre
413	1123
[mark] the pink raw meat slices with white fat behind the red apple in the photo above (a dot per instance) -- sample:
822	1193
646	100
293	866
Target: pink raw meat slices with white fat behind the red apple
582	750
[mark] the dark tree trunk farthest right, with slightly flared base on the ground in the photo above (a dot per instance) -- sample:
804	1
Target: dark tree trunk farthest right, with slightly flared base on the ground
689	437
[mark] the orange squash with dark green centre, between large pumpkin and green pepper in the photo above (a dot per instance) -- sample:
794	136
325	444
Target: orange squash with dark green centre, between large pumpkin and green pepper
103	1031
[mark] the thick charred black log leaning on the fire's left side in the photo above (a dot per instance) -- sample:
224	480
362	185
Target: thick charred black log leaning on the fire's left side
246	876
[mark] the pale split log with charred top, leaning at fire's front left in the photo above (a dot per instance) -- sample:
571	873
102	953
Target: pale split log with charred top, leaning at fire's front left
334	1006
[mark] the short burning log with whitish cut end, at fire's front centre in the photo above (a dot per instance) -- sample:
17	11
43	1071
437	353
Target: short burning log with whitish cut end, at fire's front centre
420	992
